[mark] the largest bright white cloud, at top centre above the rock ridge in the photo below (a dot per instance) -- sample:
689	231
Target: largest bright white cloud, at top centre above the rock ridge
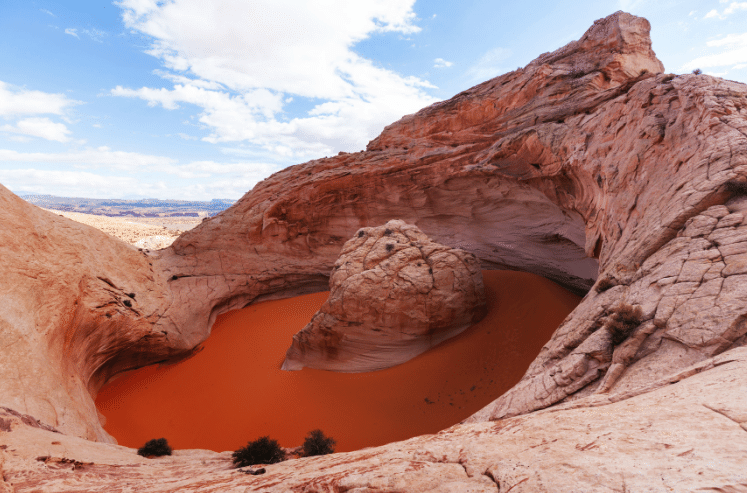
240	62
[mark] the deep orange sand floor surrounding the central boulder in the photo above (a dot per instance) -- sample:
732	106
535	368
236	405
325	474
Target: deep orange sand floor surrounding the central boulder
233	391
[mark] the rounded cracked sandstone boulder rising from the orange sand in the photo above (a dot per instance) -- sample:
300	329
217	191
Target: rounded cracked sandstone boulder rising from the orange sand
394	294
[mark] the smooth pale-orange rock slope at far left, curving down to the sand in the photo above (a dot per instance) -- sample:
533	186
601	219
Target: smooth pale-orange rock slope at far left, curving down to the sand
77	306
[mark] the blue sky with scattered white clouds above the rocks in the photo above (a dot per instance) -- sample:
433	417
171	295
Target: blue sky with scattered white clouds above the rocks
202	99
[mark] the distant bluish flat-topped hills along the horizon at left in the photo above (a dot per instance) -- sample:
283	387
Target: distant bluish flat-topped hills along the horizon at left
133	208
